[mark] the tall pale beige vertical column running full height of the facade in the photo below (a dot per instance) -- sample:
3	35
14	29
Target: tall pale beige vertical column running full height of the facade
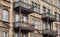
11	19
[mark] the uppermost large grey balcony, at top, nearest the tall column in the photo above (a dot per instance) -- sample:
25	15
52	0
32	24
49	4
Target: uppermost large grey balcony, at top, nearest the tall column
24	6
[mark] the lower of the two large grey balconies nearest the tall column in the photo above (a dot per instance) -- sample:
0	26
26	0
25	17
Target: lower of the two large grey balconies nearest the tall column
23	26
